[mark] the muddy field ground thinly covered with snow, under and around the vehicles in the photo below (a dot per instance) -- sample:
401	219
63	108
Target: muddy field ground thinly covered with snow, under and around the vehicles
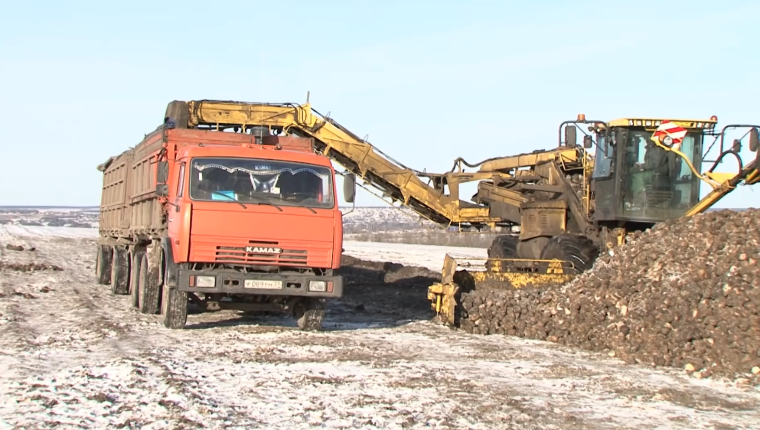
74	356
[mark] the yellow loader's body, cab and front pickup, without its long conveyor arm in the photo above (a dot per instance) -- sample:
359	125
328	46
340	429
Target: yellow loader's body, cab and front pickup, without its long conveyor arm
573	205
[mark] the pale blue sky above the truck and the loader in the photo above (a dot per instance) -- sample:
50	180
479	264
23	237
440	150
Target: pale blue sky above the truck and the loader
427	81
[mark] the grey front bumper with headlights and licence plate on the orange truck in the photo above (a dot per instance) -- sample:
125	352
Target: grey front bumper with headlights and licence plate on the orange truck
233	282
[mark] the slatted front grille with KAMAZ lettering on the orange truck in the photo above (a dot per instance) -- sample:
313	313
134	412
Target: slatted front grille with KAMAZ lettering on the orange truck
257	252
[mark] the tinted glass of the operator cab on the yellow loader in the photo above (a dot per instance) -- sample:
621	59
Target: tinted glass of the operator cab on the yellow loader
658	184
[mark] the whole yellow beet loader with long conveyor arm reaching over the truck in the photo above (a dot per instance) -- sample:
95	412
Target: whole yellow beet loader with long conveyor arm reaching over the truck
569	204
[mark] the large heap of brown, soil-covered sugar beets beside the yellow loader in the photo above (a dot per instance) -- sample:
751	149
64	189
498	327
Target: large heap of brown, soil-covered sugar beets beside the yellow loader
685	294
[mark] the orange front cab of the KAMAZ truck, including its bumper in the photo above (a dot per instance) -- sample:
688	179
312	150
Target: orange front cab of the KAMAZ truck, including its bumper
256	227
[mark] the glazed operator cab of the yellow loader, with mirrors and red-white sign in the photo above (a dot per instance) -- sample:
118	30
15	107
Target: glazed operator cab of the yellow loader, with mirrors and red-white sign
649	170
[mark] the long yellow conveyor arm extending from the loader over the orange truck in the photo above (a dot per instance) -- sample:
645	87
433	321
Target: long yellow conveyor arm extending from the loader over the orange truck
396	181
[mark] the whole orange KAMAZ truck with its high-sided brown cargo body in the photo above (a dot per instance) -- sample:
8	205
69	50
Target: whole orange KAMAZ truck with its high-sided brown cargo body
221	220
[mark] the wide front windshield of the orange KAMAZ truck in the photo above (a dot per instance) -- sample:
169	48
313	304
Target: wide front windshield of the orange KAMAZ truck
281	183
